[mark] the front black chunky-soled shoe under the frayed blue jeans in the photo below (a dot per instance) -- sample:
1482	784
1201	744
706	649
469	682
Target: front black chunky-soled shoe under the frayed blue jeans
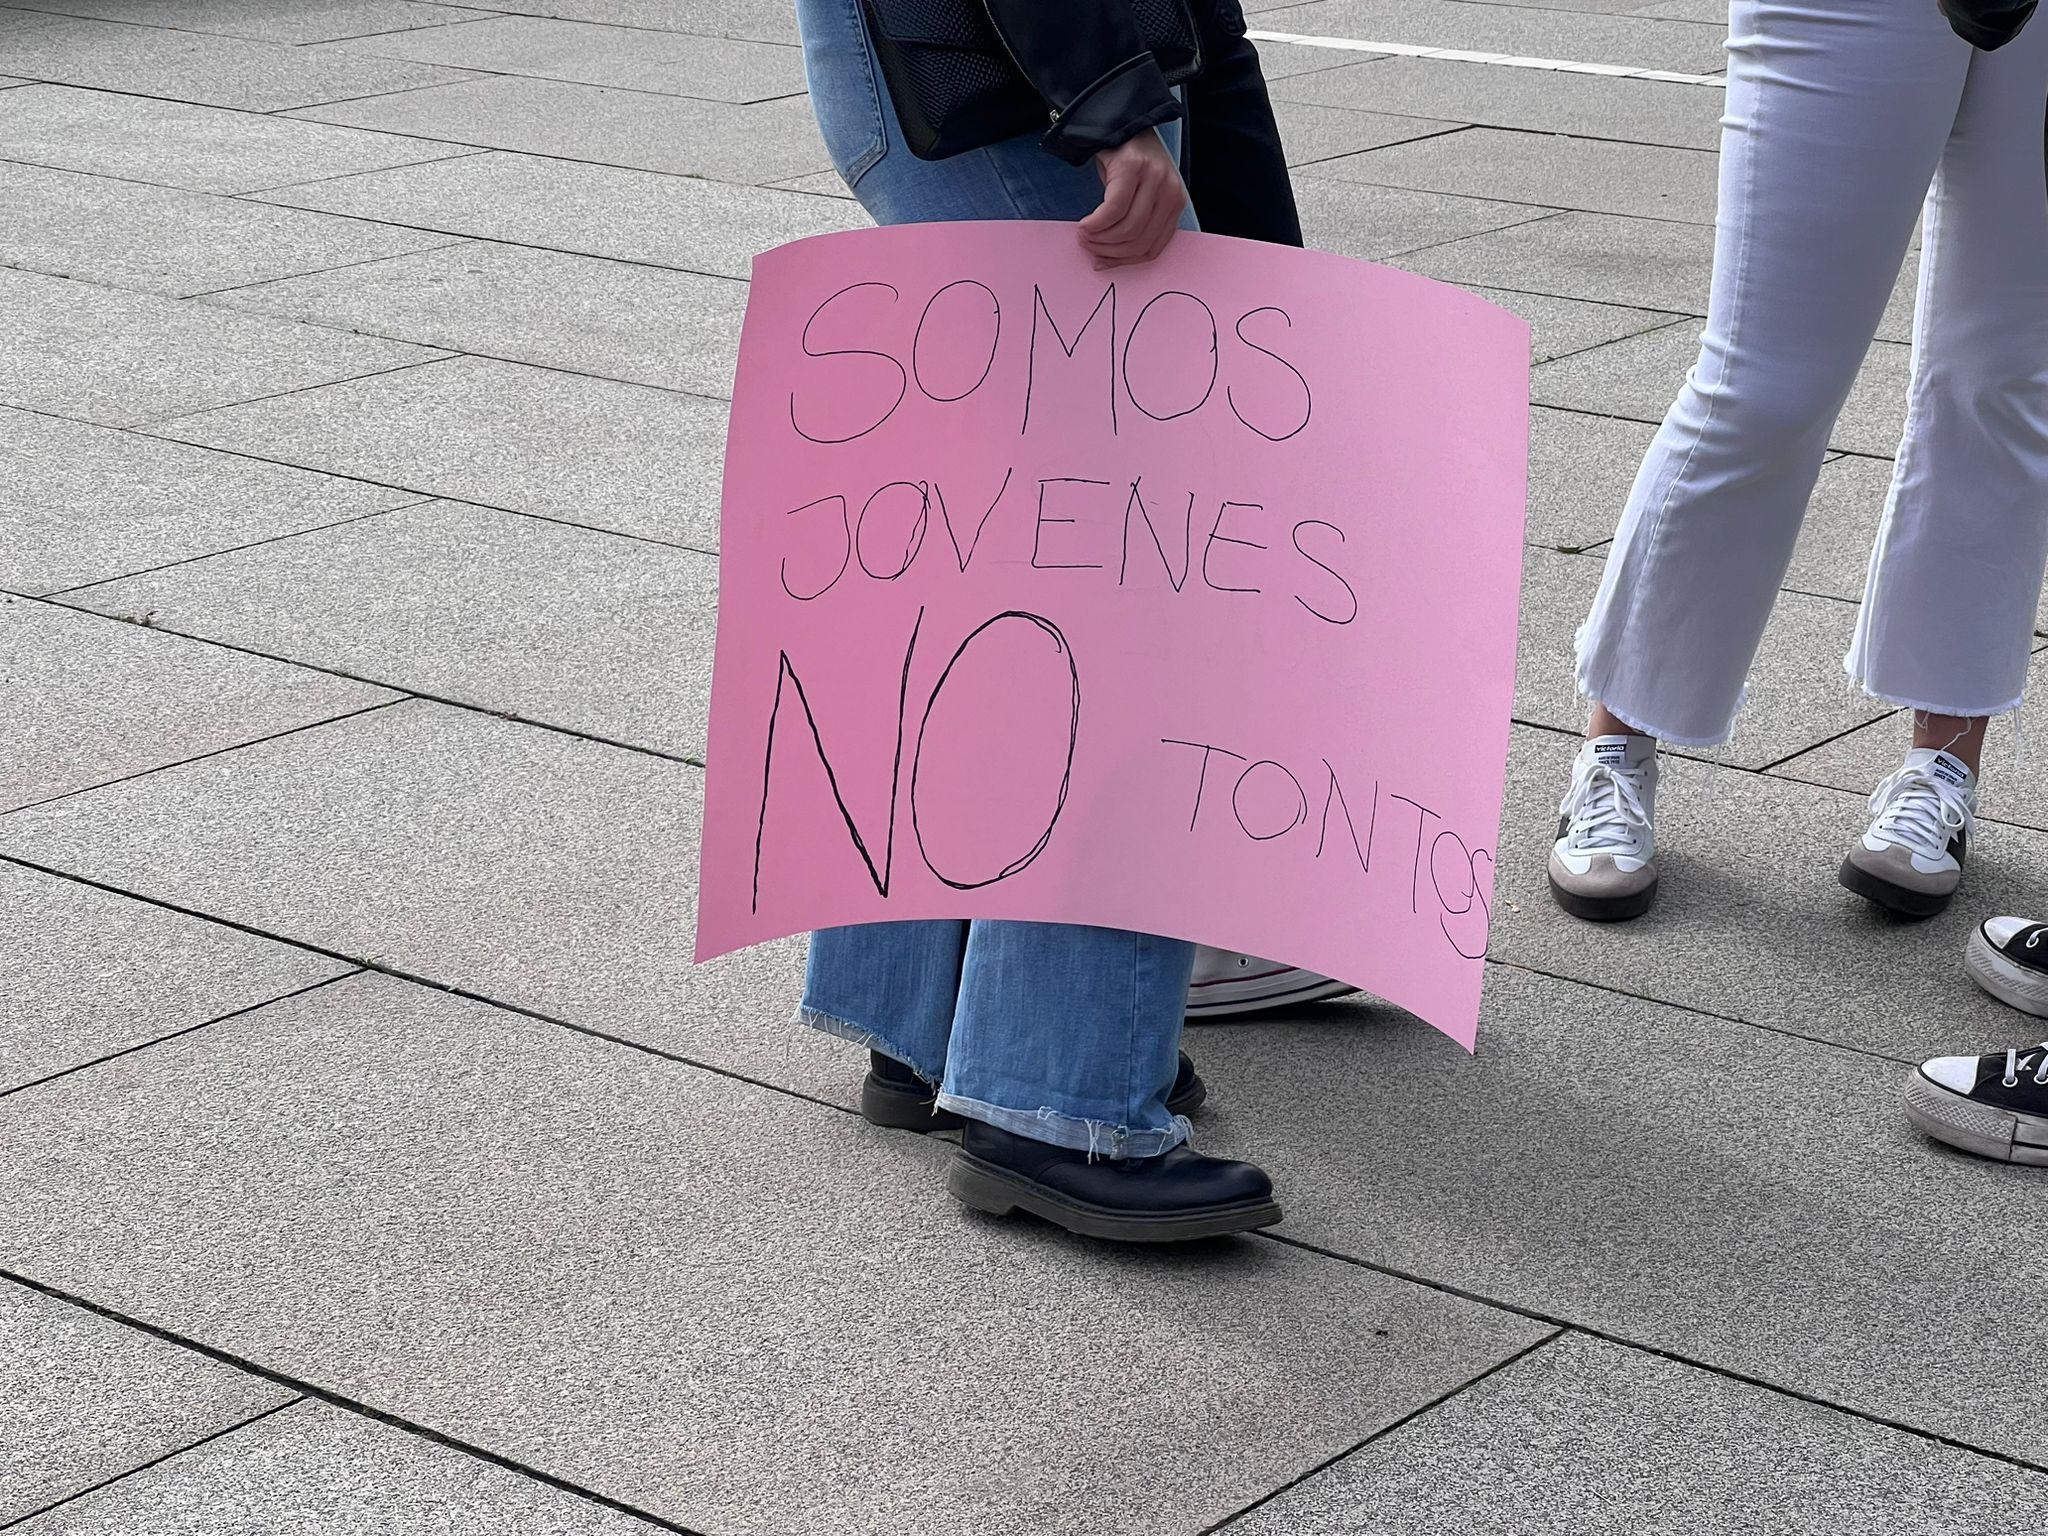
1166	1199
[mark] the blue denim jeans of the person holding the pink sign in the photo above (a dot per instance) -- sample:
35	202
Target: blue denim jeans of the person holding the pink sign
1052	1031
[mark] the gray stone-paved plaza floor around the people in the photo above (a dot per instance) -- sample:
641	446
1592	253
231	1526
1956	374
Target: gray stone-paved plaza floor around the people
376	1164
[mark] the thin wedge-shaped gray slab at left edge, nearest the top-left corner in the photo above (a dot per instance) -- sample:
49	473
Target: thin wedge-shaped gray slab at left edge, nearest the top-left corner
198	69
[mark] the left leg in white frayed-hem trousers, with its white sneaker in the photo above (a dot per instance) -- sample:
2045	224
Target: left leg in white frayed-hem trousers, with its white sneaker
1838	116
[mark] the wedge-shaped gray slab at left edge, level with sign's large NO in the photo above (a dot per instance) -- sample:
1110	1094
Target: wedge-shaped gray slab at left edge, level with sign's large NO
93	701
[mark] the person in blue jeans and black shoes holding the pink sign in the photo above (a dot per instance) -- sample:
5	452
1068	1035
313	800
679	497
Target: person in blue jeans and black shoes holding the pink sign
1052	1048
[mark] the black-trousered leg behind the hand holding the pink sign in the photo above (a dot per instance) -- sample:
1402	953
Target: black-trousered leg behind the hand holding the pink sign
1236	165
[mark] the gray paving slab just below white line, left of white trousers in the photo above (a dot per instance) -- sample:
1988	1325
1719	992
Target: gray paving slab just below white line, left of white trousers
1537	101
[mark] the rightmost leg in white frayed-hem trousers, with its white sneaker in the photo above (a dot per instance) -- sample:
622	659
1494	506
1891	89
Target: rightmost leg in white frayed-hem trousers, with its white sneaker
1949	609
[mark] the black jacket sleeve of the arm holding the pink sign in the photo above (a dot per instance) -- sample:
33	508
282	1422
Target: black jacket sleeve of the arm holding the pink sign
1089	60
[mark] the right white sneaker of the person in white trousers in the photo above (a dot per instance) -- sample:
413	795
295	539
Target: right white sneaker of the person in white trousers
1912	857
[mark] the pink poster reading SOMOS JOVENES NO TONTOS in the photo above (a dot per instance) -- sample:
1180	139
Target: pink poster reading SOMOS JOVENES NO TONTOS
1177	599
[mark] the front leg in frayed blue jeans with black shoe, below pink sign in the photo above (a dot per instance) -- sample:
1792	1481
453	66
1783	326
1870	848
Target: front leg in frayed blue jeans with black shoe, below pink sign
1064	1056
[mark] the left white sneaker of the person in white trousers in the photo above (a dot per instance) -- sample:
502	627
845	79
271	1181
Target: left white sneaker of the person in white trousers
1605	859
